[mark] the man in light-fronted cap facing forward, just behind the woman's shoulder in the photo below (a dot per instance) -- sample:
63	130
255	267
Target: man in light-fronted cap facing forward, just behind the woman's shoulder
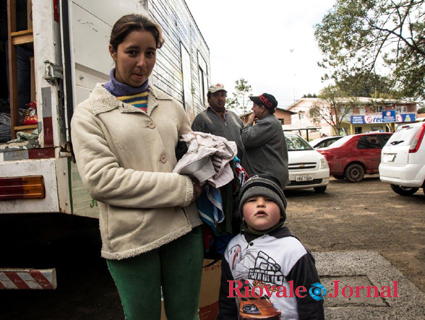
219	121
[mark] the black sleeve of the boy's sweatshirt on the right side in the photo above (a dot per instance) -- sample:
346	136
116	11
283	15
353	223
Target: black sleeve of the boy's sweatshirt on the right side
304	273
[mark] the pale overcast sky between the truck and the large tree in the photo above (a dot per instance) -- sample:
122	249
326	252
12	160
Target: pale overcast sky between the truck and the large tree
270	43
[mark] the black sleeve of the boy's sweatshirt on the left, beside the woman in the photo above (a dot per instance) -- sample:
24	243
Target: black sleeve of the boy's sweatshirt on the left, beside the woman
227	309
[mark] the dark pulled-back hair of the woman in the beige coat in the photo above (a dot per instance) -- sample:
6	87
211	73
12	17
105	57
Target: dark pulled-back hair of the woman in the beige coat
134	22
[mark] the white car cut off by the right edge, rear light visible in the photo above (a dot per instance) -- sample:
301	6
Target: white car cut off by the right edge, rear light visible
403	159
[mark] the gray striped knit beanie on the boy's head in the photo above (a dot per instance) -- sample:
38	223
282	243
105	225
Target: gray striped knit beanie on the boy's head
265	186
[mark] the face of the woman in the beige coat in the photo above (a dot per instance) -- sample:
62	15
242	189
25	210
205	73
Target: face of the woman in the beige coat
135	58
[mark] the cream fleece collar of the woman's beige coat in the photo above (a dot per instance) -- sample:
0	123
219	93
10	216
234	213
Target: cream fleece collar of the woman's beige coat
102	101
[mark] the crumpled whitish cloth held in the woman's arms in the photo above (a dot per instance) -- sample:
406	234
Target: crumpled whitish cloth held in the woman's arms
202	147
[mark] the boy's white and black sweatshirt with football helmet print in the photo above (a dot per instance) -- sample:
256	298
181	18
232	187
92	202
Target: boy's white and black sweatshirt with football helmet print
276	259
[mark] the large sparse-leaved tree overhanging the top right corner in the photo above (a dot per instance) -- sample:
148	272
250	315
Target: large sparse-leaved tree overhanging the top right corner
370	36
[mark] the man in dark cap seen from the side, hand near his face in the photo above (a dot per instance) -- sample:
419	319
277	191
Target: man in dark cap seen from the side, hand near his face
264	142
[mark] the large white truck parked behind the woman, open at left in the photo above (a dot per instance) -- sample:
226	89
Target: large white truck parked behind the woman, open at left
69	40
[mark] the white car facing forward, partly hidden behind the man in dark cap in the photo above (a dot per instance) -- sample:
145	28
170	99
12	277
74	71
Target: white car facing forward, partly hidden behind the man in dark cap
307	167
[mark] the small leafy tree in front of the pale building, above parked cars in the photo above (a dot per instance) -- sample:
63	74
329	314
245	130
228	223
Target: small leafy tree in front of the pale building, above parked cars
332	106
